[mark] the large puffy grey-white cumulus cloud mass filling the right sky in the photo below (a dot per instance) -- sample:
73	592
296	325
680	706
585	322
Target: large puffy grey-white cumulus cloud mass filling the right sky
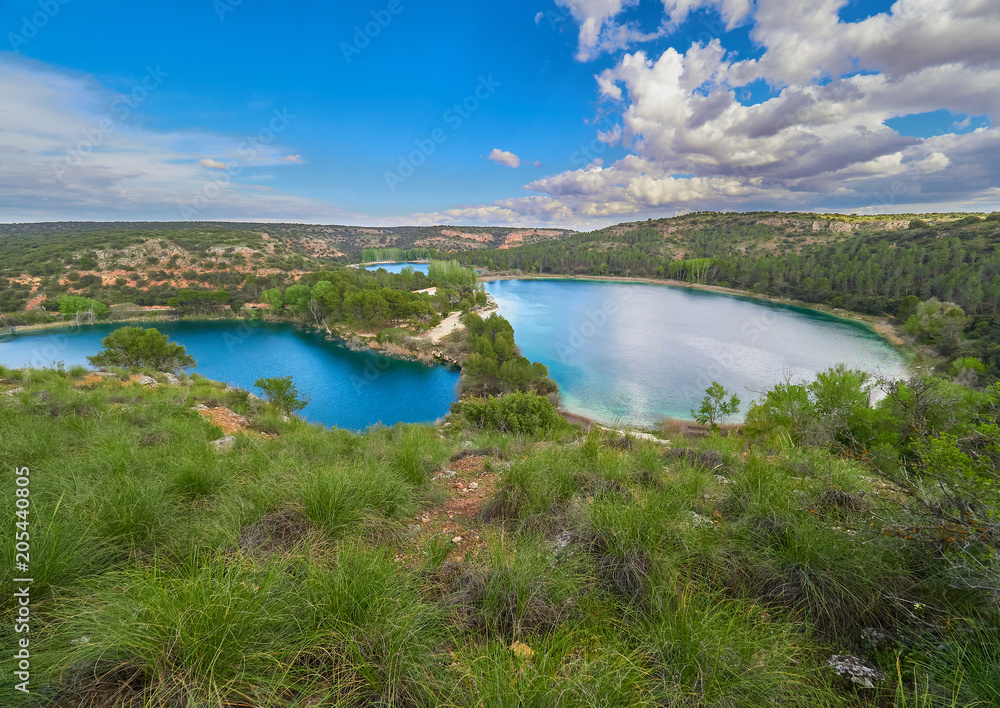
819	142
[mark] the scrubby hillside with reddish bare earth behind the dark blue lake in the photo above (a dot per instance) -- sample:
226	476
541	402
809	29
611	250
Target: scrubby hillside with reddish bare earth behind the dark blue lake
146	264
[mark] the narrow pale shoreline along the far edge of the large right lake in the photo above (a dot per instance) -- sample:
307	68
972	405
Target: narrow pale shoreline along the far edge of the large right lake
877	325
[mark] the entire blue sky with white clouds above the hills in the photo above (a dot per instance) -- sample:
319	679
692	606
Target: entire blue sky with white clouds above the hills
568	113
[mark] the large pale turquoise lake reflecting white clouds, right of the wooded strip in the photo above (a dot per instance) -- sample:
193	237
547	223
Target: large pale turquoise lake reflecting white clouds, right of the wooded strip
640	352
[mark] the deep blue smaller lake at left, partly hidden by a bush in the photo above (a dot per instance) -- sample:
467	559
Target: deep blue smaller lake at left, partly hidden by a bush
347	389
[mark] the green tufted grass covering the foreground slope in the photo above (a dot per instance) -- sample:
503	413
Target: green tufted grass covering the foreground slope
285	572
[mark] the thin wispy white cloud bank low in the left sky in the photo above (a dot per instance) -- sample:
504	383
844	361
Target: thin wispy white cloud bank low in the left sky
67	151
